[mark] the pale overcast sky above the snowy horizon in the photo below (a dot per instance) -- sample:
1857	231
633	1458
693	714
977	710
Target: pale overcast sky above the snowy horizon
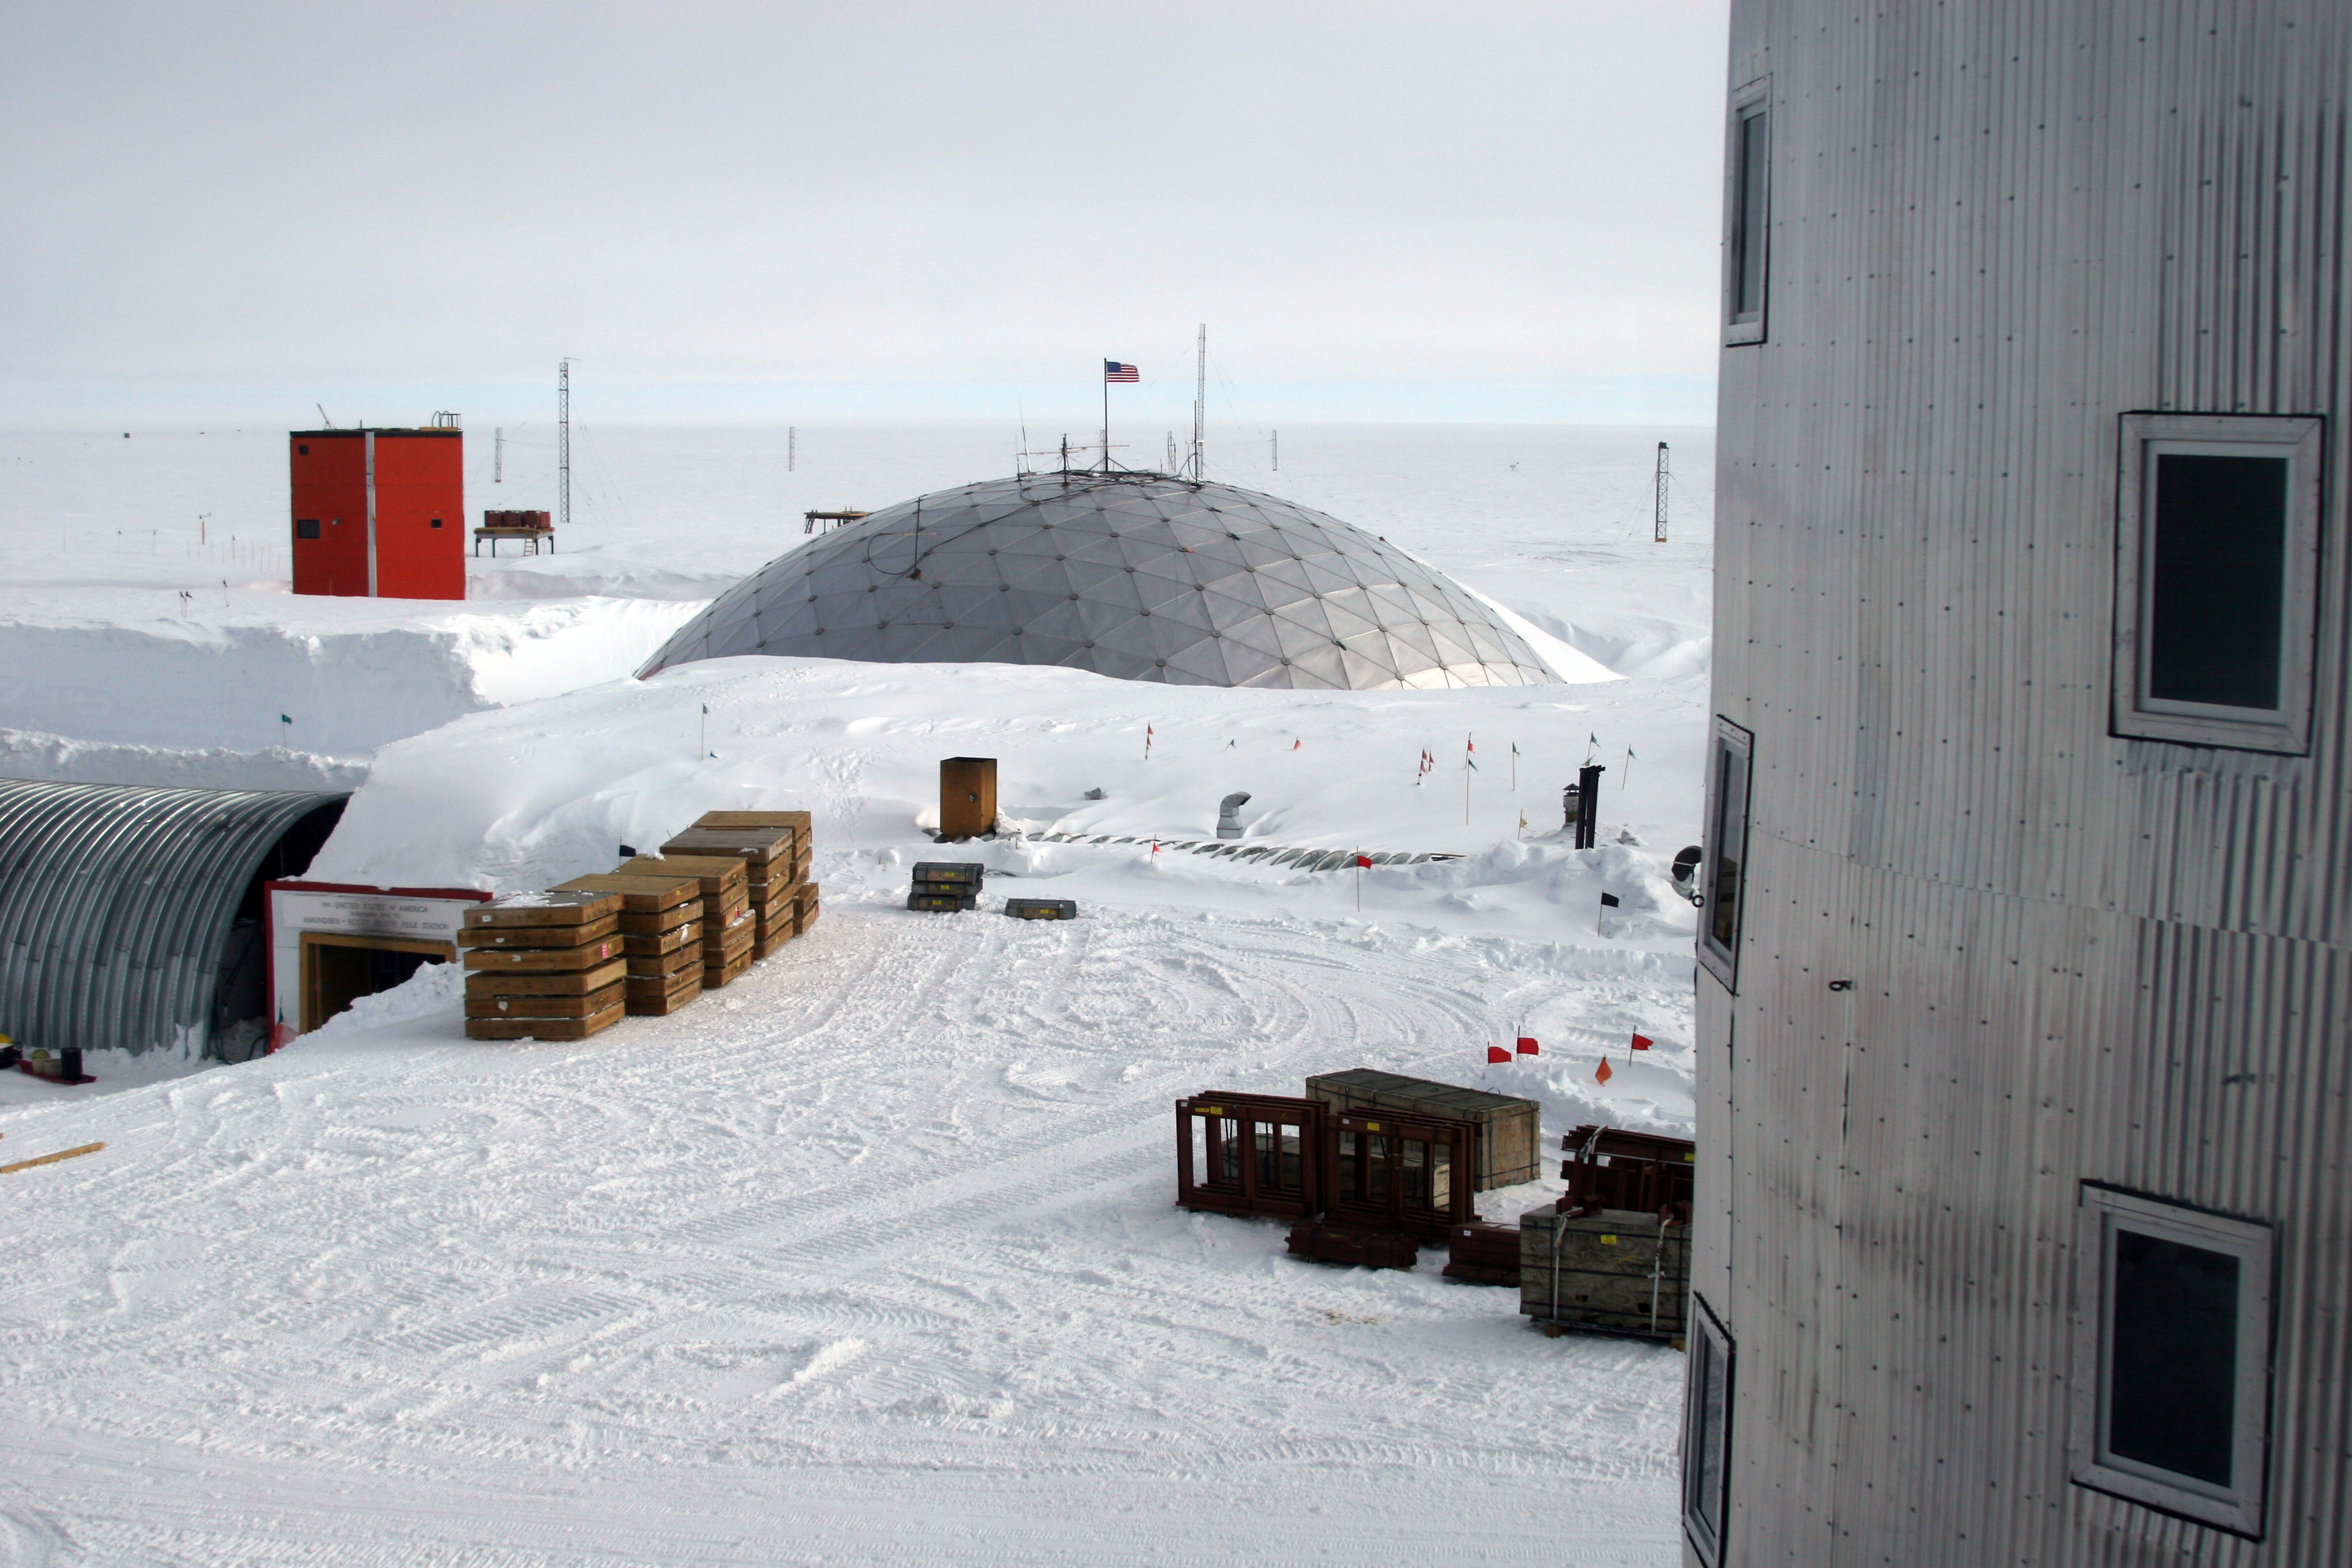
1441	210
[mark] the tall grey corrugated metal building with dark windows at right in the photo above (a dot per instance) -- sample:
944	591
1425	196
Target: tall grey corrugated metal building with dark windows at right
2026	1005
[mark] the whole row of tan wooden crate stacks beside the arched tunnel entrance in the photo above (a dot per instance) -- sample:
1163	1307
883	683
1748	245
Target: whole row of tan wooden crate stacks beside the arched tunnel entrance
643	939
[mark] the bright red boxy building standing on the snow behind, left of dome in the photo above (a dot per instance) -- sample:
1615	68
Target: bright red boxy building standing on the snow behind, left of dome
380	514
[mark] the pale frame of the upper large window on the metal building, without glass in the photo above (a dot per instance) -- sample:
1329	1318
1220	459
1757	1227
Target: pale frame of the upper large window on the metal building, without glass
2146	718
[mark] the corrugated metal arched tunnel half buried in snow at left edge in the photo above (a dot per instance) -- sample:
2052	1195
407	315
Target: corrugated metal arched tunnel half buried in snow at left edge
133	918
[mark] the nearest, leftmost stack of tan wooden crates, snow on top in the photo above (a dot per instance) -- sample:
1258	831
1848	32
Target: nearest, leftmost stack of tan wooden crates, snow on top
544	965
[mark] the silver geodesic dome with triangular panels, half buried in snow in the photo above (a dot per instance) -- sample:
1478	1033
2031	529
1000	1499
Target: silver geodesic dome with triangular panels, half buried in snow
1125	575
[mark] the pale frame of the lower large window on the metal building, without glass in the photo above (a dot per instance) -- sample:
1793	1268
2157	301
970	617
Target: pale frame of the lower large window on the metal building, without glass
2106	1212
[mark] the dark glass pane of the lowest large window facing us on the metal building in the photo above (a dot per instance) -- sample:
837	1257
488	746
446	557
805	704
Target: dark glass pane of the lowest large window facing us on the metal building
2172	1360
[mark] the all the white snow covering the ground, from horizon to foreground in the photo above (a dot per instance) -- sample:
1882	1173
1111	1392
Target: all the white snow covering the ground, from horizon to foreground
871	1257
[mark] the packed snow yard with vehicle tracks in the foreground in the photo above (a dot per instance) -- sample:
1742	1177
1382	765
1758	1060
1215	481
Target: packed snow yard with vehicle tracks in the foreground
869	1259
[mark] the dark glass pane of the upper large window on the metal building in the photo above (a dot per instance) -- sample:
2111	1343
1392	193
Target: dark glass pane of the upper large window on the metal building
2219	582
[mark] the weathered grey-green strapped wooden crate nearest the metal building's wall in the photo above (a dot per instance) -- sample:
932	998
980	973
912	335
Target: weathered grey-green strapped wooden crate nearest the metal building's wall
1610	1273
